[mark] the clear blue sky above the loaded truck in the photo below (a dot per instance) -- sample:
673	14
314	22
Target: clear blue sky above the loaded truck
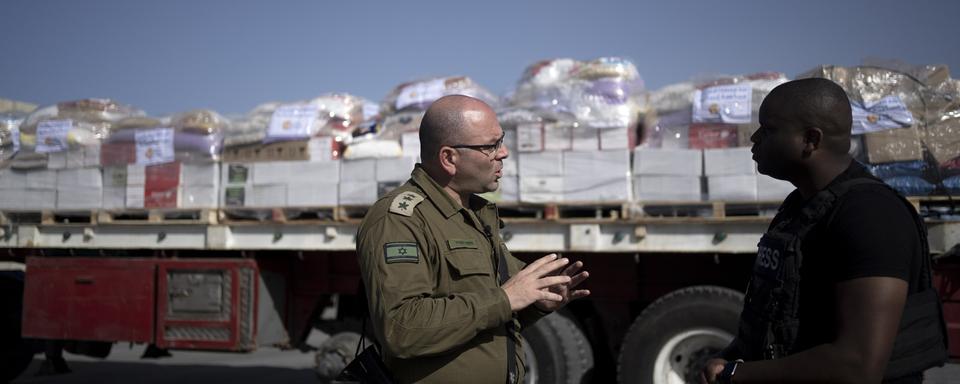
172	55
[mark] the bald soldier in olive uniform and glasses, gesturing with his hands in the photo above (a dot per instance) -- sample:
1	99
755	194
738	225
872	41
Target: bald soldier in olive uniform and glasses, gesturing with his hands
447	299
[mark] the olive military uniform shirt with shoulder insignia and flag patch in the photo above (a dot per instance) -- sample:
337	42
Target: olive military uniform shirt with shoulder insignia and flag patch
429	267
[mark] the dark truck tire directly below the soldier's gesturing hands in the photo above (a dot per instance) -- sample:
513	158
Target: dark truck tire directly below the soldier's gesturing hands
557	351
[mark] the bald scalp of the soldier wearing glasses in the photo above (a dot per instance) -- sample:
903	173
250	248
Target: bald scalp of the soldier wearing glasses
446	123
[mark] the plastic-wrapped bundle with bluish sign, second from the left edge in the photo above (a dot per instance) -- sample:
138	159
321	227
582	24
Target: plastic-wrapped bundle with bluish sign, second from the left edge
68	126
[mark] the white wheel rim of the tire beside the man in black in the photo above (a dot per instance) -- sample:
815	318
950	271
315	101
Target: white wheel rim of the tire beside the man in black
681	357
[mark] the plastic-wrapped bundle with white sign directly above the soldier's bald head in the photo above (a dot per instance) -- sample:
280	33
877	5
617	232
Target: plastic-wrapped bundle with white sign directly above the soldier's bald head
419	94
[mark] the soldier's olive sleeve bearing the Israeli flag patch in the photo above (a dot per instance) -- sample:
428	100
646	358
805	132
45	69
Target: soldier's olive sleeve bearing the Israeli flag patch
407	316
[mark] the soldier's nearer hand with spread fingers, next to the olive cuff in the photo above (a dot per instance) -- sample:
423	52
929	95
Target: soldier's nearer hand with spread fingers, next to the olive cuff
534	283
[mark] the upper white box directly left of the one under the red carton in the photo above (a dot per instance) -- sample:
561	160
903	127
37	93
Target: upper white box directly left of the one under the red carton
660	161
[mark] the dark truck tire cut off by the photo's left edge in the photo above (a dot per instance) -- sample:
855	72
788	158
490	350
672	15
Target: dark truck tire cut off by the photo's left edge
15	352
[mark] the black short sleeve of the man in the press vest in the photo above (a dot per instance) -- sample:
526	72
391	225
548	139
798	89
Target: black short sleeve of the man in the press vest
873	234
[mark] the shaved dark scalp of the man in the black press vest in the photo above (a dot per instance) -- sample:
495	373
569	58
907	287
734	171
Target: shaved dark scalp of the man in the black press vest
815	102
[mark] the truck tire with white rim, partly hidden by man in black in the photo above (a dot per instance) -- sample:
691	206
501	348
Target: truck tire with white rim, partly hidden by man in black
673	338
